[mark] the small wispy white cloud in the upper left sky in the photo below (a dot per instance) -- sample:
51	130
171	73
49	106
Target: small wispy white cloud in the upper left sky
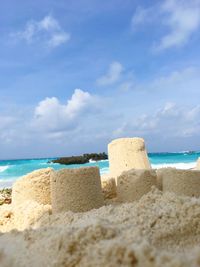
47	30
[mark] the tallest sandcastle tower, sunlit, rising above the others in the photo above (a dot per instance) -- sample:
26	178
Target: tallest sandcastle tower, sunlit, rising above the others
127	153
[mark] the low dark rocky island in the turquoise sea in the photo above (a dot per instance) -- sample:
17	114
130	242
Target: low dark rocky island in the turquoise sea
85	158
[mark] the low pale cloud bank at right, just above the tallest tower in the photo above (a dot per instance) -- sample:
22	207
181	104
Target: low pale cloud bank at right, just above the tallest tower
170	121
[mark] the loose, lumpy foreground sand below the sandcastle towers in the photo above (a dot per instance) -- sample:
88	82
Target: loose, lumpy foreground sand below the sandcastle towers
160	229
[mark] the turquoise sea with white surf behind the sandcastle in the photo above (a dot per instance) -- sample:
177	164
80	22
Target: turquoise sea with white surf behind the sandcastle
11	170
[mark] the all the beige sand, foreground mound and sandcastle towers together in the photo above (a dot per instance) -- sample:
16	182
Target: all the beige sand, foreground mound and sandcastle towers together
73	217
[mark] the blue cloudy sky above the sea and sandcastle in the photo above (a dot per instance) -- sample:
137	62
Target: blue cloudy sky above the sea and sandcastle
75	75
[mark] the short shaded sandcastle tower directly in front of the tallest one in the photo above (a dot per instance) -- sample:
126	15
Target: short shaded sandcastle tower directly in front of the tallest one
133	184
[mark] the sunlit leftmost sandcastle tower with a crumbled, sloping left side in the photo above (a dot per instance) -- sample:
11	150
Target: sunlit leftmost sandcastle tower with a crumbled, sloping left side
33	186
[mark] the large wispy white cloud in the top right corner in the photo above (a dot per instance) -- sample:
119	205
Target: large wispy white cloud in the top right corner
179	18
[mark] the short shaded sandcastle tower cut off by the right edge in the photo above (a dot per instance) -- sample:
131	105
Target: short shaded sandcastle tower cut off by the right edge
181	182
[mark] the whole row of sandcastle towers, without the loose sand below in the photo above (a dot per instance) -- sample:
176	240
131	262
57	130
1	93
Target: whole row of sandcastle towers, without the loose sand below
80	190
